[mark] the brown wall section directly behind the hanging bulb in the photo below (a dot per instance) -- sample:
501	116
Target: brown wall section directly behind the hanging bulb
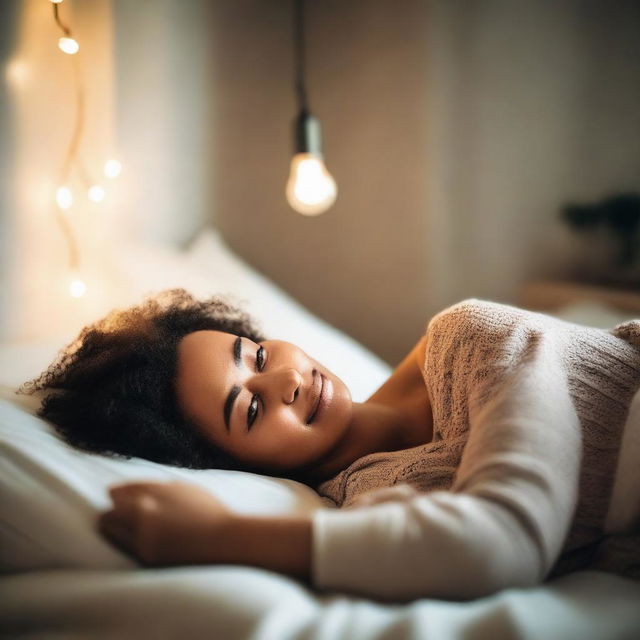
359	263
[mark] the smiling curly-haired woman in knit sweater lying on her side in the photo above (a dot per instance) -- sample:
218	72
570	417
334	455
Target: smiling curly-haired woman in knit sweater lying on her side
487	459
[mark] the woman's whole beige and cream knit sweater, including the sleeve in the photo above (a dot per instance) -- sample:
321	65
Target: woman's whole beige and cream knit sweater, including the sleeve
528	416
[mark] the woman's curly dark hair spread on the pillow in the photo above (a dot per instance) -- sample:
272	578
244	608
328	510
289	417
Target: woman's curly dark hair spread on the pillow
112	390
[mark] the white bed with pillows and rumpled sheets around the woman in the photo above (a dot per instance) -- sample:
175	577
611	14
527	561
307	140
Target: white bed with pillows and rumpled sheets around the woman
61	579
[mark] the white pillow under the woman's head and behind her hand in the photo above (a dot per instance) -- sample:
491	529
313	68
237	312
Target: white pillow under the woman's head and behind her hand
51	493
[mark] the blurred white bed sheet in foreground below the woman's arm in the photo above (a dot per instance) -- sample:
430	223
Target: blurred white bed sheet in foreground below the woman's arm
242	603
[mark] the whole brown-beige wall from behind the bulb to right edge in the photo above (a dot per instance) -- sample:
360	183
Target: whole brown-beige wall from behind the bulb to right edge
455	131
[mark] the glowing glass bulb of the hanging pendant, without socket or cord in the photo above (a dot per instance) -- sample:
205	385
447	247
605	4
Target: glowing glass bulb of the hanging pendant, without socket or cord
310	189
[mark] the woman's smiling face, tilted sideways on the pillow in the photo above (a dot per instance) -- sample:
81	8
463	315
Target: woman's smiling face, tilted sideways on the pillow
268	405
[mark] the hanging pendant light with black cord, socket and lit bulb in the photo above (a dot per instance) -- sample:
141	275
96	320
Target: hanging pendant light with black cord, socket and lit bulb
311	190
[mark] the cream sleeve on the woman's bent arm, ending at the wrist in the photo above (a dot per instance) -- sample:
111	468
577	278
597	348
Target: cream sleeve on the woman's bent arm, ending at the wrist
505	520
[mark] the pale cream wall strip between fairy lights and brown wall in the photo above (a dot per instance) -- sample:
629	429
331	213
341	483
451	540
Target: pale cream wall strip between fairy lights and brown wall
163	63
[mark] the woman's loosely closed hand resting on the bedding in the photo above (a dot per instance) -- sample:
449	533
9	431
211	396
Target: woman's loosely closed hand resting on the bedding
167	523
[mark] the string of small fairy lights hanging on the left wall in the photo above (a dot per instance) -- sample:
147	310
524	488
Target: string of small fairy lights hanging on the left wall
73	164
